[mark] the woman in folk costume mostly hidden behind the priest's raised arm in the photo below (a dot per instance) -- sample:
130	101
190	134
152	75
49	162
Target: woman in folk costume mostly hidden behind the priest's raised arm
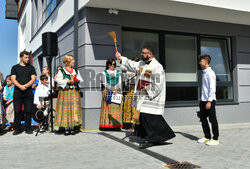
129	116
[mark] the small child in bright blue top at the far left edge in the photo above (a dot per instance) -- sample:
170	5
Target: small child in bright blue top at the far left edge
8	97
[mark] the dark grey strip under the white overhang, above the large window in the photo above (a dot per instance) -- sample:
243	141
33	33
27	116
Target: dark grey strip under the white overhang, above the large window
165	23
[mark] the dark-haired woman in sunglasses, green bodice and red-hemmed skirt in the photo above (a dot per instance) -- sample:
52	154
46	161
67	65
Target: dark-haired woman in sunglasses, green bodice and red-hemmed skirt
111	113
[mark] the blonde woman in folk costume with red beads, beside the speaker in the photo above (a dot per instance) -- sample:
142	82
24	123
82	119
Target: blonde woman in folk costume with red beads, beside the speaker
68	109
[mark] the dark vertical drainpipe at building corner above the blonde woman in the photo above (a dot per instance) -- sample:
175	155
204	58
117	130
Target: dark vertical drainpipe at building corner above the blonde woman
76	18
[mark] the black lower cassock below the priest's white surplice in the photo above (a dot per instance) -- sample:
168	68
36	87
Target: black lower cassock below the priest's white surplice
154	128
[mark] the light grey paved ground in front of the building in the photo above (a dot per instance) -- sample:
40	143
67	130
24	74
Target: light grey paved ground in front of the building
107	150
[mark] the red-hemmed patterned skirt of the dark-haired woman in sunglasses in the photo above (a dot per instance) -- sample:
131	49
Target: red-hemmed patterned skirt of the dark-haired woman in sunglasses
111	114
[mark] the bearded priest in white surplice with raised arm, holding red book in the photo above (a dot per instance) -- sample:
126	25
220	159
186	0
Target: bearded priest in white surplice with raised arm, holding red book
150	95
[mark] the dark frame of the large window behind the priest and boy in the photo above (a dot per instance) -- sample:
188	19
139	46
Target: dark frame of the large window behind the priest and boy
161	41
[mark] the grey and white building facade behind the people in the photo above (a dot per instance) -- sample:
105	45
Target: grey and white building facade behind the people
179	30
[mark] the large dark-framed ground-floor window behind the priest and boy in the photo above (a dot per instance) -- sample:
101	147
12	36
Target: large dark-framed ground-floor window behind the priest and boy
179	57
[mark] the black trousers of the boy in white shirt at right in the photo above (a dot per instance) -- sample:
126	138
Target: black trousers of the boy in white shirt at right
211	115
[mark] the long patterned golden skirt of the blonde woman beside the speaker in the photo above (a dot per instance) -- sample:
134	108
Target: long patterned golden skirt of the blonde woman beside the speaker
68	109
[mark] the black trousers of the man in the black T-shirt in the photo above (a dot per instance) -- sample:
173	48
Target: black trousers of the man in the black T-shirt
23	99
